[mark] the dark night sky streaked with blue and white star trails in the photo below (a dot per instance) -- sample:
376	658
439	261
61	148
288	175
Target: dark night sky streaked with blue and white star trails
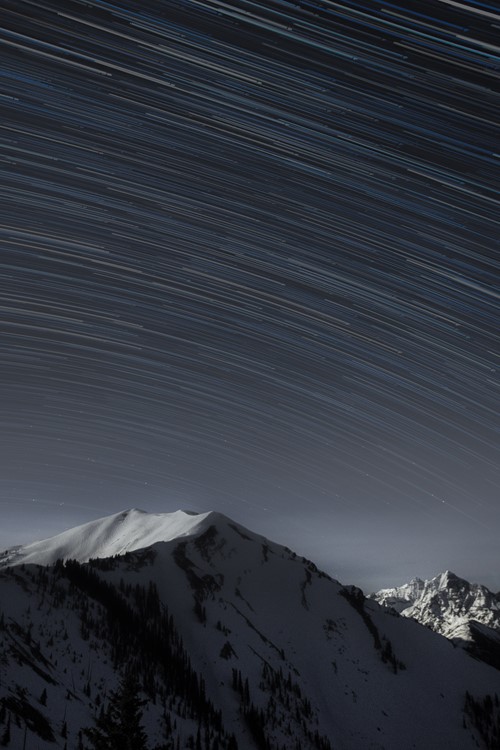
250	263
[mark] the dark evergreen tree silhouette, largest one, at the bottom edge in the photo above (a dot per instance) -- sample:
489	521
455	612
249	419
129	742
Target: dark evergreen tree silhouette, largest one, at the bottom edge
119	726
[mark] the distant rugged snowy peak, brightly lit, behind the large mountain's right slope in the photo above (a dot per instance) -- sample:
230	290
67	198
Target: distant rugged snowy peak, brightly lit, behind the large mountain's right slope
446	603
